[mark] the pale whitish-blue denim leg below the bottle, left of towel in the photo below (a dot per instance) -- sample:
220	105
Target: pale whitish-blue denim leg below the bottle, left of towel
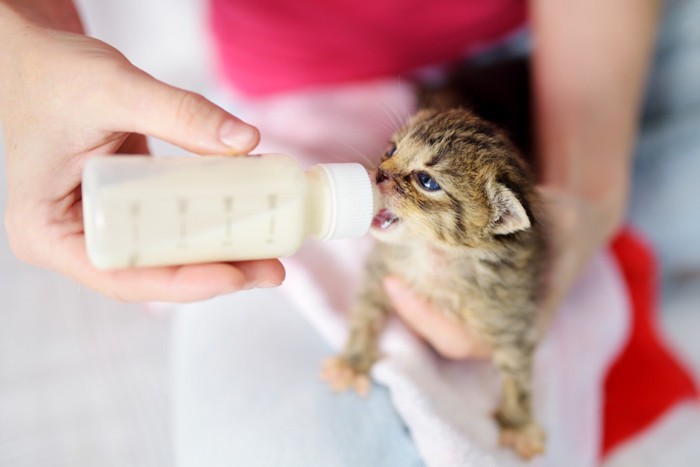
257	363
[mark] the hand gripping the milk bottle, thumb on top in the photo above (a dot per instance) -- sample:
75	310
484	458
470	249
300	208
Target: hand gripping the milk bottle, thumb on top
64	98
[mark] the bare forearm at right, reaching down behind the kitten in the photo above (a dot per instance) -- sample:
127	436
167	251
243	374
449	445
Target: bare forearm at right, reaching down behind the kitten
589	66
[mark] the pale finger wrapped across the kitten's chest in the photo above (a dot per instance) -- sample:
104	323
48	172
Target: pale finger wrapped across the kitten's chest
449	338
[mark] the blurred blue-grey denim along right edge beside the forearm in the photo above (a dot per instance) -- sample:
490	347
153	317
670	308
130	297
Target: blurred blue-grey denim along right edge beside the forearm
665	201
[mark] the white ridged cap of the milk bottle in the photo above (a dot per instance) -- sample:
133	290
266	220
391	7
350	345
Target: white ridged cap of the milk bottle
352	200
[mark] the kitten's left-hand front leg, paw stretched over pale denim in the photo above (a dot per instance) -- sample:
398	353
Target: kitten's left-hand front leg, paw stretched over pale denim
351	368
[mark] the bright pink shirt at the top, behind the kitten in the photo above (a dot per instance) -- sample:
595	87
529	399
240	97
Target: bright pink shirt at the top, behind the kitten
270	46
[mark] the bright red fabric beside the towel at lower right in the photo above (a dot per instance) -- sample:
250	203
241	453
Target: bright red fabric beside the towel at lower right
646	379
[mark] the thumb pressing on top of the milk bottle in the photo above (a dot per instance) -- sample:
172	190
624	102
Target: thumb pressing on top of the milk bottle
183	118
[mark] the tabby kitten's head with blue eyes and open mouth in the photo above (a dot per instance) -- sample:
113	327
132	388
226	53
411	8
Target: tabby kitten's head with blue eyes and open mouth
452	178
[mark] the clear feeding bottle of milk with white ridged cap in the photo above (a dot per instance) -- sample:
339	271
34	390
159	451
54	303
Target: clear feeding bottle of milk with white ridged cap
148	211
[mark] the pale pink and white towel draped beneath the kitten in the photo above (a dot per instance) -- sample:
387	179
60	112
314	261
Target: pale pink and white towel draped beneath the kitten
446	405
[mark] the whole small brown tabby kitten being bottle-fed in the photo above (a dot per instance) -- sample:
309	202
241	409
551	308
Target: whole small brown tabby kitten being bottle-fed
461	226
